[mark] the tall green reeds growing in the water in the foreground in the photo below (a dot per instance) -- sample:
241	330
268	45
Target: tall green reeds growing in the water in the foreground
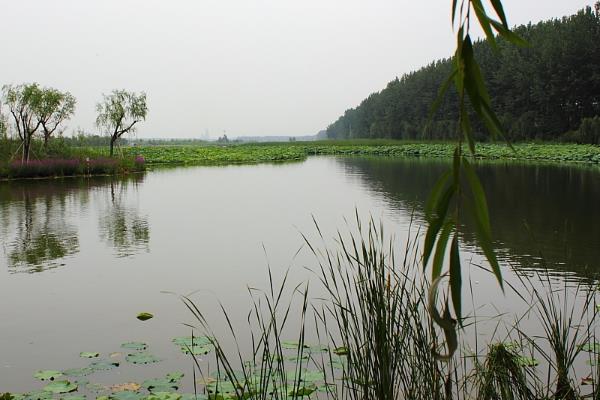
376	339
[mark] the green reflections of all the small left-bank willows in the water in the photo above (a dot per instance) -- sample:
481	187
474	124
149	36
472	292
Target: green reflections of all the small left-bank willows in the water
41	220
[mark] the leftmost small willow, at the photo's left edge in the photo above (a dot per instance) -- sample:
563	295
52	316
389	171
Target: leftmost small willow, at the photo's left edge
23	102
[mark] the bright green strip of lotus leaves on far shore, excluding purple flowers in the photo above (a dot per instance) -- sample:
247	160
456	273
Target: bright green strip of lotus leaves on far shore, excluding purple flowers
278	152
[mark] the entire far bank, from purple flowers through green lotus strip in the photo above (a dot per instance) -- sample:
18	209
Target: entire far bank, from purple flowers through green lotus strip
95	161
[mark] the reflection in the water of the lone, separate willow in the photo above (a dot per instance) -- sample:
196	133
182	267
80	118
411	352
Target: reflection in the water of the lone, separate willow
121	226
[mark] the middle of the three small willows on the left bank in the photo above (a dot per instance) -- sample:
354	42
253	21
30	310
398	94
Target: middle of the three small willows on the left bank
53	109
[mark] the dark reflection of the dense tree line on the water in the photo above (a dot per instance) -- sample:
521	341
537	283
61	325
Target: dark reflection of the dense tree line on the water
543	216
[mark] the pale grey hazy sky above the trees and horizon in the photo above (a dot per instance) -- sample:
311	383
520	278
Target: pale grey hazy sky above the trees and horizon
247	67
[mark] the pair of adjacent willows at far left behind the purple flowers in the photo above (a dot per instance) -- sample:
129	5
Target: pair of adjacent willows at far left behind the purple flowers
32	107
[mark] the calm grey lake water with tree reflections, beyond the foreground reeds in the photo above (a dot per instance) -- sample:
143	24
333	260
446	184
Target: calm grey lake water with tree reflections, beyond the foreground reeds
80	258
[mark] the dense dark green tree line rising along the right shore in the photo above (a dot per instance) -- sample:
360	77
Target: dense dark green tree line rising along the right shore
542	91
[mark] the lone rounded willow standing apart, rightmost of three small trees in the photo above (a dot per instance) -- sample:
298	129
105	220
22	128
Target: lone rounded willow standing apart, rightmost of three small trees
119	112
